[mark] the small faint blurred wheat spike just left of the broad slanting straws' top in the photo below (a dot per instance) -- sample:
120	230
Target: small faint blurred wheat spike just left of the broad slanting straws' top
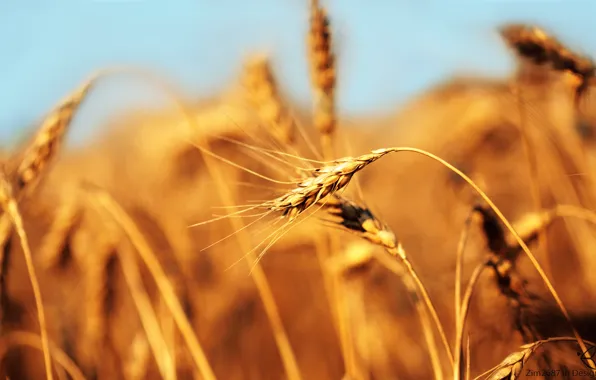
64	223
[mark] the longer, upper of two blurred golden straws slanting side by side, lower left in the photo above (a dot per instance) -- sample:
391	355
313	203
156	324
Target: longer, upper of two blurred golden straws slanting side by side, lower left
115	211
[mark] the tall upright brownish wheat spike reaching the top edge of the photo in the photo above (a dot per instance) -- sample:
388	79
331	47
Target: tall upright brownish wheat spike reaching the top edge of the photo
322	70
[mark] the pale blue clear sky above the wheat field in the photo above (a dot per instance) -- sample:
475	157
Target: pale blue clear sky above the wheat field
388	50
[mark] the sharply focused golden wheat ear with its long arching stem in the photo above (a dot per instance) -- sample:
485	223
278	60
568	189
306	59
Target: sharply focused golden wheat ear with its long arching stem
337	175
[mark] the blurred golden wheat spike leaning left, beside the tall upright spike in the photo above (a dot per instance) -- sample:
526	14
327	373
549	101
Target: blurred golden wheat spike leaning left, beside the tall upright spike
263	94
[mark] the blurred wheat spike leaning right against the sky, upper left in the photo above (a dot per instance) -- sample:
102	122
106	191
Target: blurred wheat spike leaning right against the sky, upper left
47	141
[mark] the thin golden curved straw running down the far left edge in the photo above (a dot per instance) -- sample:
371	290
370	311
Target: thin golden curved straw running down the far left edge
10	208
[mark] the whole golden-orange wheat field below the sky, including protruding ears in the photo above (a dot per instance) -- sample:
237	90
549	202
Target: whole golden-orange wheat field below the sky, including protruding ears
241	237
